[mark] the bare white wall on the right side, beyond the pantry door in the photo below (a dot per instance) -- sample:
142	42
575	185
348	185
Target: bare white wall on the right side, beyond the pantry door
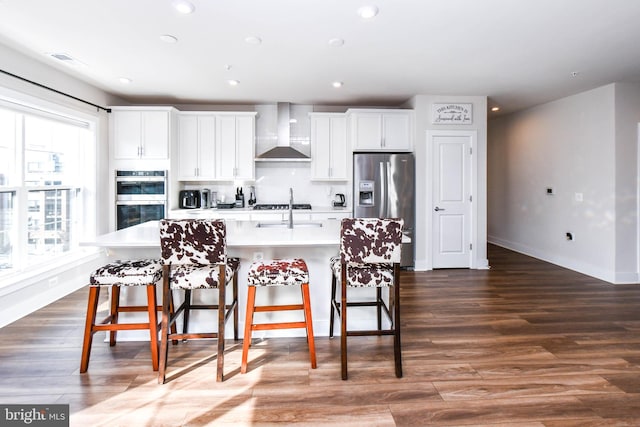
586	145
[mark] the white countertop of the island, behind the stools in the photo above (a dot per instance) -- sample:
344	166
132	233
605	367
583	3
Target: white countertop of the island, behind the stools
239	234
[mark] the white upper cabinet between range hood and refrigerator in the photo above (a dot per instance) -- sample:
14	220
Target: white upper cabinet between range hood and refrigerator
329	148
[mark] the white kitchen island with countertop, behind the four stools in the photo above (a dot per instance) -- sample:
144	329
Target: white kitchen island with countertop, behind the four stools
314	241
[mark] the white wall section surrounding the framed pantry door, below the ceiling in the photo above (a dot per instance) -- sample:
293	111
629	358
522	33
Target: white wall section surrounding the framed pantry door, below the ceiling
422	105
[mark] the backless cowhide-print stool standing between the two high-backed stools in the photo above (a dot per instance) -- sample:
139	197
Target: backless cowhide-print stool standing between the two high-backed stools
281	272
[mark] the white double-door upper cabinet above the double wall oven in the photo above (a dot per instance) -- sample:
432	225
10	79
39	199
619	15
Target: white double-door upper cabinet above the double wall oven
141	133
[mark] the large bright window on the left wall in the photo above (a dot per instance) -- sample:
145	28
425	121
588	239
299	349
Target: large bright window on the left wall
42	160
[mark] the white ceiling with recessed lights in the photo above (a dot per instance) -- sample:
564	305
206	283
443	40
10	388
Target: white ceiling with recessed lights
519	53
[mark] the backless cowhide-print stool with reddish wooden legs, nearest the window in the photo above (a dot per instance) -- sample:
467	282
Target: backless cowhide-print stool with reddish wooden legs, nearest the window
122	273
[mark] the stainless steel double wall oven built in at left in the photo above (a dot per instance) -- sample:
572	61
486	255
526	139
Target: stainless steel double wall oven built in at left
140	196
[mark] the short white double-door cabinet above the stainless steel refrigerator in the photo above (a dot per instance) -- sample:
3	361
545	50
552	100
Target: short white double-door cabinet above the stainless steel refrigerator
381	130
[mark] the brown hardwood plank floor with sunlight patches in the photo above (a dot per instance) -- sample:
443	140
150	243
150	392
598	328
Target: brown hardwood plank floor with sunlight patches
526	343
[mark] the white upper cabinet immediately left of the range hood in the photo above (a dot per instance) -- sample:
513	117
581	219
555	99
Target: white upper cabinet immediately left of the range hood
235	146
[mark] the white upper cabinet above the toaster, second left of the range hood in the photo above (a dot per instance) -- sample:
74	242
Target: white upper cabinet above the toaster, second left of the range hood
196	146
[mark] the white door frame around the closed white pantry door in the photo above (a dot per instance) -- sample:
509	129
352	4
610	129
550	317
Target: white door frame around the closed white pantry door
473	223
